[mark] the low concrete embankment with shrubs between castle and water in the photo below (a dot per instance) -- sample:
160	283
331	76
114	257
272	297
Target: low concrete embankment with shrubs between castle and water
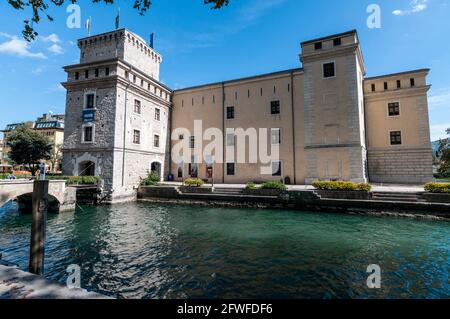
300	200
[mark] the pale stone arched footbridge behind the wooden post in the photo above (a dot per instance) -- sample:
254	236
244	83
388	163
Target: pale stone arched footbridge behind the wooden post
61	197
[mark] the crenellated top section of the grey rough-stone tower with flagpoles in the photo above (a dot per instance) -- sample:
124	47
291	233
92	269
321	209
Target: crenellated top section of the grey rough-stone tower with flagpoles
124	45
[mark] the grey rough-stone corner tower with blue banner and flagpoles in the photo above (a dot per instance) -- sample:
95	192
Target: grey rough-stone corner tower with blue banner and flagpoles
117	113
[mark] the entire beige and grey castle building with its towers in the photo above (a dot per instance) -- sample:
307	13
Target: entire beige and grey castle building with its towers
327	119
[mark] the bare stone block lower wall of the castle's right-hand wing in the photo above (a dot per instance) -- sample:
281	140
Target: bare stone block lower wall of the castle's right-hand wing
411	166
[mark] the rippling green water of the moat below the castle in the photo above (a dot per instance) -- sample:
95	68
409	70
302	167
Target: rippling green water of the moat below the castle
142	250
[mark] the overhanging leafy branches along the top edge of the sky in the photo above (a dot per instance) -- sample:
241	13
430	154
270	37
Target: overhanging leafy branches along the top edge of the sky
39	7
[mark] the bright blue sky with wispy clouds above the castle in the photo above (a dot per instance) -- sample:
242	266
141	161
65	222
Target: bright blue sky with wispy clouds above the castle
248	37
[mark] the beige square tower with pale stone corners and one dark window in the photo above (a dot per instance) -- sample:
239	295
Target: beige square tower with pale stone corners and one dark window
335	146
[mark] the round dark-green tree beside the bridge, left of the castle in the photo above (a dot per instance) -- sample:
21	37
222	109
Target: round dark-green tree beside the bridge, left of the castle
28	147
